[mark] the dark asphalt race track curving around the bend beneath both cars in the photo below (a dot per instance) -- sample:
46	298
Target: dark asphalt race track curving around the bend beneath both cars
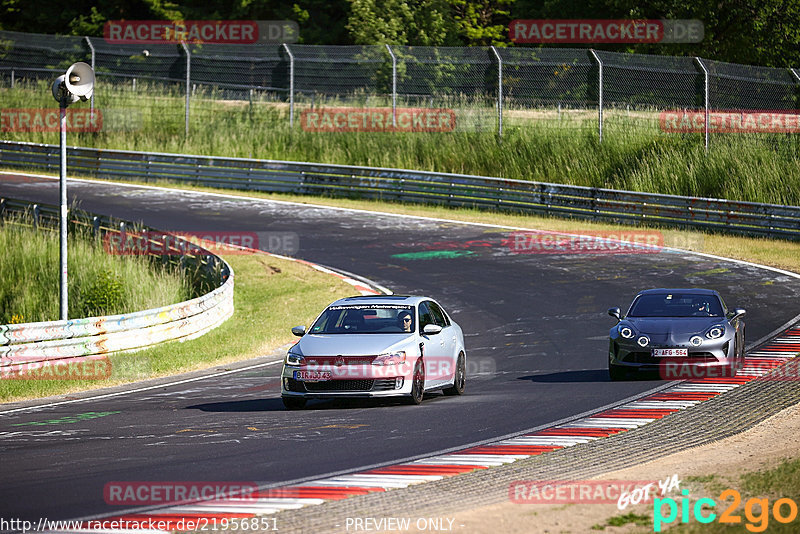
536	333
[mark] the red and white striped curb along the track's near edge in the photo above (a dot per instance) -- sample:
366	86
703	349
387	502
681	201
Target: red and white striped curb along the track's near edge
599	425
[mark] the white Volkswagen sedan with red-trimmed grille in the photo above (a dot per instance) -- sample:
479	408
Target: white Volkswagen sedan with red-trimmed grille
375	346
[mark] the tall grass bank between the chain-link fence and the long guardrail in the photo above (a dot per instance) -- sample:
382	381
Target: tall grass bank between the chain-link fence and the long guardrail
540	145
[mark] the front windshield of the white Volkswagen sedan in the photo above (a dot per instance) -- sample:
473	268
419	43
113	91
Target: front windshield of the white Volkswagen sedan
365	319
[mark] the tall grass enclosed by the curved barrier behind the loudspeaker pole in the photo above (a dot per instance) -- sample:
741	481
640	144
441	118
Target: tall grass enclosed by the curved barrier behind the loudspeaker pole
98	283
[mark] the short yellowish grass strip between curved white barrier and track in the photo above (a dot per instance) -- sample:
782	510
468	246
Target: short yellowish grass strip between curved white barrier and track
271	295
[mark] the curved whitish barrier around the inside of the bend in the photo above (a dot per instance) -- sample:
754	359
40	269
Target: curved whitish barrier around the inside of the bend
86	338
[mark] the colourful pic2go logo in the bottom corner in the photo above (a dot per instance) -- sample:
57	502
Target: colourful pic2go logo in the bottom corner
756	511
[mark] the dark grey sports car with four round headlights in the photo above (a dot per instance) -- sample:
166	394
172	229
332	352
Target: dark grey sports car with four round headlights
680	333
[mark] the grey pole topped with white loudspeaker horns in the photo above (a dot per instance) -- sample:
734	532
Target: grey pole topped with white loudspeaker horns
76	84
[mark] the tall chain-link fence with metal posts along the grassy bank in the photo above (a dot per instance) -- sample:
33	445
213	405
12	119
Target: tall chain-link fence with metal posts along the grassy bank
485	87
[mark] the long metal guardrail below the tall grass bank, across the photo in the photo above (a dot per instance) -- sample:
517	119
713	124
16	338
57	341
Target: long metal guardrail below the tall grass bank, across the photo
458	190
